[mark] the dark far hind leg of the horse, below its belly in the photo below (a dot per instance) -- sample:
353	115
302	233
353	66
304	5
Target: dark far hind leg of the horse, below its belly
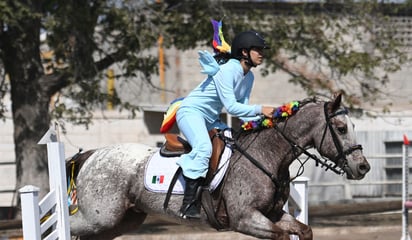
131	221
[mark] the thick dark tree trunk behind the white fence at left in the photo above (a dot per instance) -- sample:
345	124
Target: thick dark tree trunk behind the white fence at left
30	102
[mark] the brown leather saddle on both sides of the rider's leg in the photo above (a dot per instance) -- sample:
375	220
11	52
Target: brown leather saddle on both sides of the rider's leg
176	146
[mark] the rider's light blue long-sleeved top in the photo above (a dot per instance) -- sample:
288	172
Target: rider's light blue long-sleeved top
228	88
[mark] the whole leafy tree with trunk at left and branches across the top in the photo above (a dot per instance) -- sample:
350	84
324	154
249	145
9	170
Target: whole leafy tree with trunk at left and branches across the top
317	44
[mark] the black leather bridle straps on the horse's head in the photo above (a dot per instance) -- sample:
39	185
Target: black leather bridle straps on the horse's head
341	153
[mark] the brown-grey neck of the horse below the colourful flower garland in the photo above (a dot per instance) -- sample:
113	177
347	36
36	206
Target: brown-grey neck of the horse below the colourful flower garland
276	150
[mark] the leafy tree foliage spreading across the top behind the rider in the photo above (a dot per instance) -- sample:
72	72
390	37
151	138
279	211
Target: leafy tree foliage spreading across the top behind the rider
325	47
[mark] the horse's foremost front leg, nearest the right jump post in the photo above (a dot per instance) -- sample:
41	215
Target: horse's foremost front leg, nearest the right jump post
289	224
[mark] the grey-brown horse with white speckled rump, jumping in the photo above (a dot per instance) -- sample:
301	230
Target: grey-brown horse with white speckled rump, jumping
112	198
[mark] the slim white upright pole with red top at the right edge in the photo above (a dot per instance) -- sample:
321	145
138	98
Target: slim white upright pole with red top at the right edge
406	204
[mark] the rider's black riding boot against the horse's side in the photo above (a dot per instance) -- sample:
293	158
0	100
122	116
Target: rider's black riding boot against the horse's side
191	202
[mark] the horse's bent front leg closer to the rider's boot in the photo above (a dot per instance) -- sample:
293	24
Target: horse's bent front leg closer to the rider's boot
253	222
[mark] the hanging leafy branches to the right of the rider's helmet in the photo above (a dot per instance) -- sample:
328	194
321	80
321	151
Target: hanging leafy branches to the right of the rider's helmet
342	47
